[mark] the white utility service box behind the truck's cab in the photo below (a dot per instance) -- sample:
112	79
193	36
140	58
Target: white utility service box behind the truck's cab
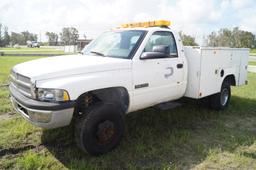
205	65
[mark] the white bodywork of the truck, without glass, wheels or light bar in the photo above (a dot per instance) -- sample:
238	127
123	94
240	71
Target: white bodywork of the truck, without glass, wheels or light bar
195	73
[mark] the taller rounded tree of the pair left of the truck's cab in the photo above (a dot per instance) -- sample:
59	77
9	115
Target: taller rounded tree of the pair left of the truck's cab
69	35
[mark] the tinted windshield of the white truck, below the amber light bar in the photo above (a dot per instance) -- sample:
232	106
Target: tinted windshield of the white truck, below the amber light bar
117	44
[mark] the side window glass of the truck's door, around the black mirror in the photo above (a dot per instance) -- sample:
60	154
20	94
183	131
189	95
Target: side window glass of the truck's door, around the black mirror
162	38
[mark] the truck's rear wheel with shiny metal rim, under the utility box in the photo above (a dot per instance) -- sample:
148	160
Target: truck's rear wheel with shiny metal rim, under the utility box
221	100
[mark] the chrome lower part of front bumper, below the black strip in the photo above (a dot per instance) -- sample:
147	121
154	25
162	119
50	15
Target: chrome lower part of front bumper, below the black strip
44	118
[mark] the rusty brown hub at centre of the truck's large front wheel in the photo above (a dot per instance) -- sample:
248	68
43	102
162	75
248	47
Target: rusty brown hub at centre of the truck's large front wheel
105	132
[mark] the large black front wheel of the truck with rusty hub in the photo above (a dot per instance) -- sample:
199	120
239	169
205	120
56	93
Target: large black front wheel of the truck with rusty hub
100	130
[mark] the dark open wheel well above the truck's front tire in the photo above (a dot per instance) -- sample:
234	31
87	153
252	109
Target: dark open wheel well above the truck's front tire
117	95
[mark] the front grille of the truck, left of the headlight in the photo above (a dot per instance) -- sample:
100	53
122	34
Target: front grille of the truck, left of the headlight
21	83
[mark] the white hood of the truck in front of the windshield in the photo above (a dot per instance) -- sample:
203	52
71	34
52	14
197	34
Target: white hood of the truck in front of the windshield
51	67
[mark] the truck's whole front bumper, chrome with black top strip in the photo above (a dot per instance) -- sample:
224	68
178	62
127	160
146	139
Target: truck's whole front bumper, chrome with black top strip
42	114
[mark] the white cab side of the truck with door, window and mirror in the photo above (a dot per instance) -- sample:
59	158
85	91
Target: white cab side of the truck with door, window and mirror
158	69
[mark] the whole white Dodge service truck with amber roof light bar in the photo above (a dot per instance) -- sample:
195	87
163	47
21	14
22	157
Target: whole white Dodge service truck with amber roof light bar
129	68
